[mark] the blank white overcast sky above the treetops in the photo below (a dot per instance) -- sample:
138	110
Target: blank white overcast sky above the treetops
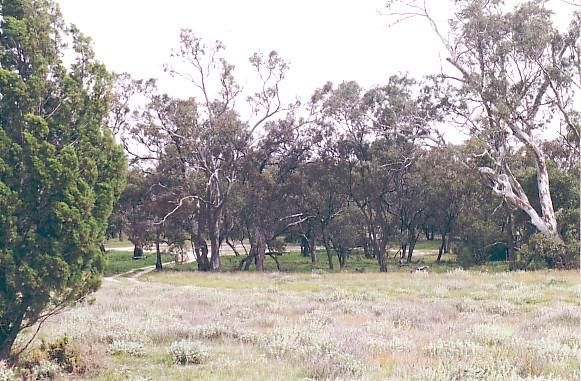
324	40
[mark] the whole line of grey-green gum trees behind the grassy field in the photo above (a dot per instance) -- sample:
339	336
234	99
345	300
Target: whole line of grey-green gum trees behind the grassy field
360	169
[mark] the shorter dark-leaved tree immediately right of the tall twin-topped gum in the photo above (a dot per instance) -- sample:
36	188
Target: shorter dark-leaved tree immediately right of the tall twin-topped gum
269	195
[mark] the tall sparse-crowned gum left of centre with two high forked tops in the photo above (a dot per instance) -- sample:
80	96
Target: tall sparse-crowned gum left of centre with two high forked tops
206	132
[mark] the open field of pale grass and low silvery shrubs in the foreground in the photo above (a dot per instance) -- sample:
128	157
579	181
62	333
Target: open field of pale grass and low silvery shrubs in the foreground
398	326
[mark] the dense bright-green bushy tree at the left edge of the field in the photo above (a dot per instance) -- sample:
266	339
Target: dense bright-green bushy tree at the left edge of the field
60	169
